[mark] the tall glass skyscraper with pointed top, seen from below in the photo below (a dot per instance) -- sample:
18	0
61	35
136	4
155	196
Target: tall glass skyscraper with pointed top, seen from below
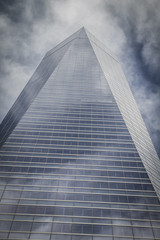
76	158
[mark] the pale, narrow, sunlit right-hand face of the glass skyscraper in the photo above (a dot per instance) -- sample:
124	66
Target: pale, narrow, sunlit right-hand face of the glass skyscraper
129	110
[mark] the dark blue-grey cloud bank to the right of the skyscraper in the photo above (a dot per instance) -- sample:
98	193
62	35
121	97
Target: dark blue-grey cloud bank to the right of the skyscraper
140	56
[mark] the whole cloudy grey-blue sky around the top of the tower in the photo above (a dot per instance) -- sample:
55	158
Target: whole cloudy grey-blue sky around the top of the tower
129	28
